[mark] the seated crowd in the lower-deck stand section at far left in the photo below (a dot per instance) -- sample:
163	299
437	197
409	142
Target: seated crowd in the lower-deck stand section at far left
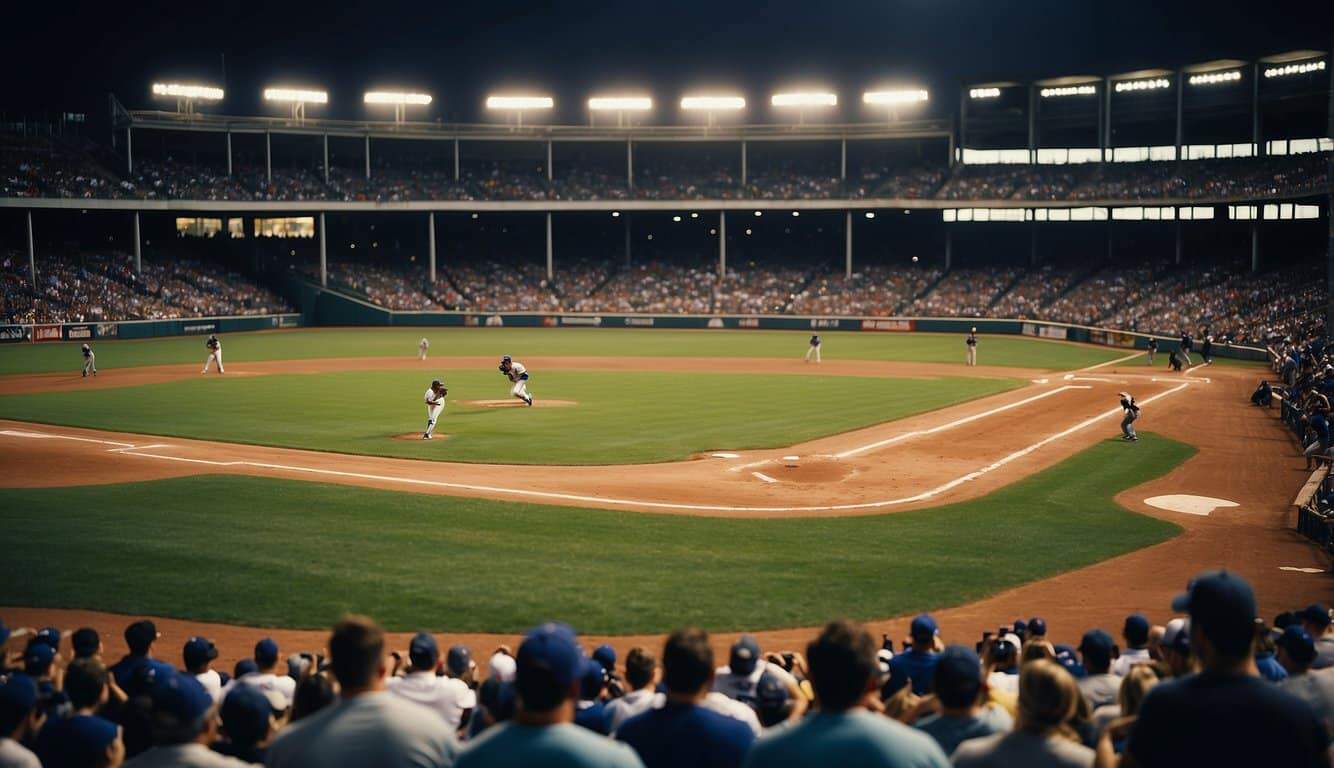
101	286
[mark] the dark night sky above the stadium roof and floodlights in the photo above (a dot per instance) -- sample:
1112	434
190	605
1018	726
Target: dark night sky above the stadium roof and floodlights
69	55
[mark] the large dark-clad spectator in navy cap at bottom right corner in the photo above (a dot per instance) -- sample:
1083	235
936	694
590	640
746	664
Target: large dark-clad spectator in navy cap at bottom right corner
1227	715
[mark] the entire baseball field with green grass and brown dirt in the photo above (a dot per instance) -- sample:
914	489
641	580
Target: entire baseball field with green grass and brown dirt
662	478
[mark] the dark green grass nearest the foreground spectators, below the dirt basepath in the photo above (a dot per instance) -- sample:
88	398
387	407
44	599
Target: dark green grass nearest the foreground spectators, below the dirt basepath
290	554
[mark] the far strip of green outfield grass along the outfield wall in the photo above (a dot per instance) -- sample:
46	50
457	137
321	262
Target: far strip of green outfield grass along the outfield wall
1017	351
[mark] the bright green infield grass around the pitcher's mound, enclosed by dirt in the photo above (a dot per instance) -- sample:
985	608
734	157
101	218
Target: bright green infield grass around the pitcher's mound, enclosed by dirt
620	417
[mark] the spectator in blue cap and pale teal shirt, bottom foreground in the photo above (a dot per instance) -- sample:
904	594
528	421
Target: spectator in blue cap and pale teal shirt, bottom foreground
544	731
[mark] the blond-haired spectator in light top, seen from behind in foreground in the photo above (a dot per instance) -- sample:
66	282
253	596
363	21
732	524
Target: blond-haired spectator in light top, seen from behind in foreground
1044	737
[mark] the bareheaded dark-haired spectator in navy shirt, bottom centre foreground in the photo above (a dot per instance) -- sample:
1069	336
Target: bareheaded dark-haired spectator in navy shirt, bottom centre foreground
682	731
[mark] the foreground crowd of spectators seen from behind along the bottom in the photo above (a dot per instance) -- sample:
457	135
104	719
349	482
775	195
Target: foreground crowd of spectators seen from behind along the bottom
1215	686
